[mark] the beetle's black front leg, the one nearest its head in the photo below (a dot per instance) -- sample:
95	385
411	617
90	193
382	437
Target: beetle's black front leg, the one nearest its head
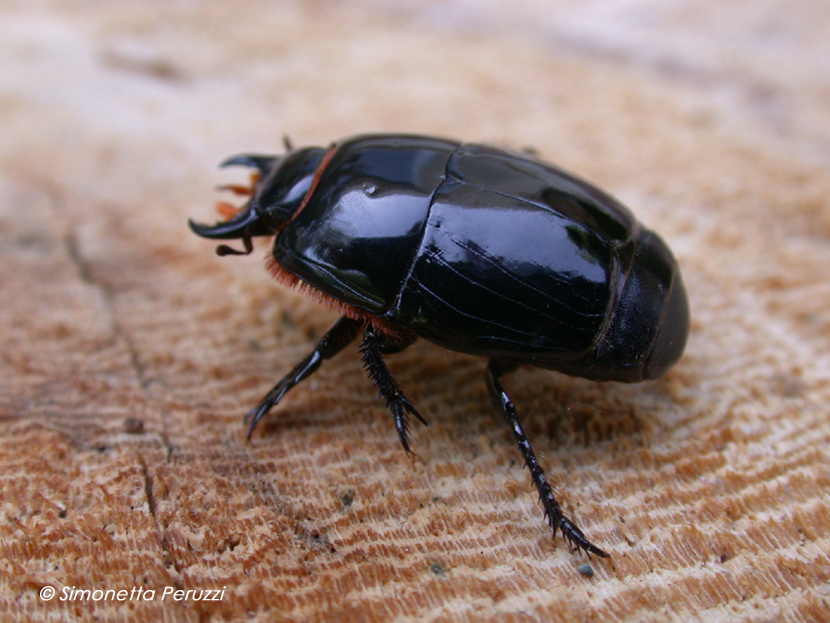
336	339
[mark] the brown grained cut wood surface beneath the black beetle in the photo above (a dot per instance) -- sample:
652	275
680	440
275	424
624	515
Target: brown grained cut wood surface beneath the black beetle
130	351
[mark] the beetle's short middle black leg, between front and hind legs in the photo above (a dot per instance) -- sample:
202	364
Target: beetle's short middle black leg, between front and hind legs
371	352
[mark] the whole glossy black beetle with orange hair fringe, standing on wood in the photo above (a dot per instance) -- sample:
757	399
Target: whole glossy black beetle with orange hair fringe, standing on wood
480	250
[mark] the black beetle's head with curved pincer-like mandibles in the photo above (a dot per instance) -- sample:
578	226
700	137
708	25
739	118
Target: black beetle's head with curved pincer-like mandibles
276	196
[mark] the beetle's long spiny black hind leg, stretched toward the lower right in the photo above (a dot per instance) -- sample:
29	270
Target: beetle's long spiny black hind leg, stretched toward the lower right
553	512
